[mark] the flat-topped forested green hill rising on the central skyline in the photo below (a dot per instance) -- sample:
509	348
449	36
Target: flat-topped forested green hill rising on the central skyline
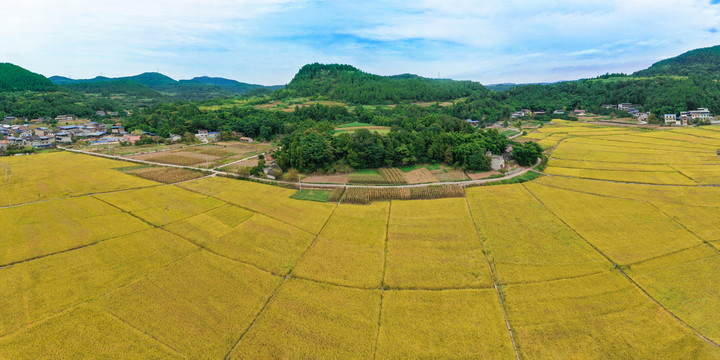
347	83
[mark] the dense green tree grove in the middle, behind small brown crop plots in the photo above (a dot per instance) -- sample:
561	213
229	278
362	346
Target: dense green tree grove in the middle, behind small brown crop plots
434	138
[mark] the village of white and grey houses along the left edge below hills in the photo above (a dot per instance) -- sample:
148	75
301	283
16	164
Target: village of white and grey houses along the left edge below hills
32	134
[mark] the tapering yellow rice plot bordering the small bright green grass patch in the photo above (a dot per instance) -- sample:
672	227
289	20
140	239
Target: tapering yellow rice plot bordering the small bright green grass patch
269	200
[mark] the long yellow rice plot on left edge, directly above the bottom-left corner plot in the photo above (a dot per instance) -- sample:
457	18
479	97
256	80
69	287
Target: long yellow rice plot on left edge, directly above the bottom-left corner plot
37	289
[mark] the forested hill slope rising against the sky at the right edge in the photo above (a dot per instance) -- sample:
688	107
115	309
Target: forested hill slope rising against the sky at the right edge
699	62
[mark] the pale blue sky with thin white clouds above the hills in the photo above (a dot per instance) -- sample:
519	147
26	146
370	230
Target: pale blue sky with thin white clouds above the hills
267	41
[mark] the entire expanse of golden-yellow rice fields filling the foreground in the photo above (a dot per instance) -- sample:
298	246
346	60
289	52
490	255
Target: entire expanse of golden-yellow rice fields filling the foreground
613	254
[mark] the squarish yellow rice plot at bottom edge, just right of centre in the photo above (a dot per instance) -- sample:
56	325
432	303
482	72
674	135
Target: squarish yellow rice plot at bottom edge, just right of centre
460	324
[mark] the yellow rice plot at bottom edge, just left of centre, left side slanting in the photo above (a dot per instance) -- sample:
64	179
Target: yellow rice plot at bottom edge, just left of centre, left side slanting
310	320
